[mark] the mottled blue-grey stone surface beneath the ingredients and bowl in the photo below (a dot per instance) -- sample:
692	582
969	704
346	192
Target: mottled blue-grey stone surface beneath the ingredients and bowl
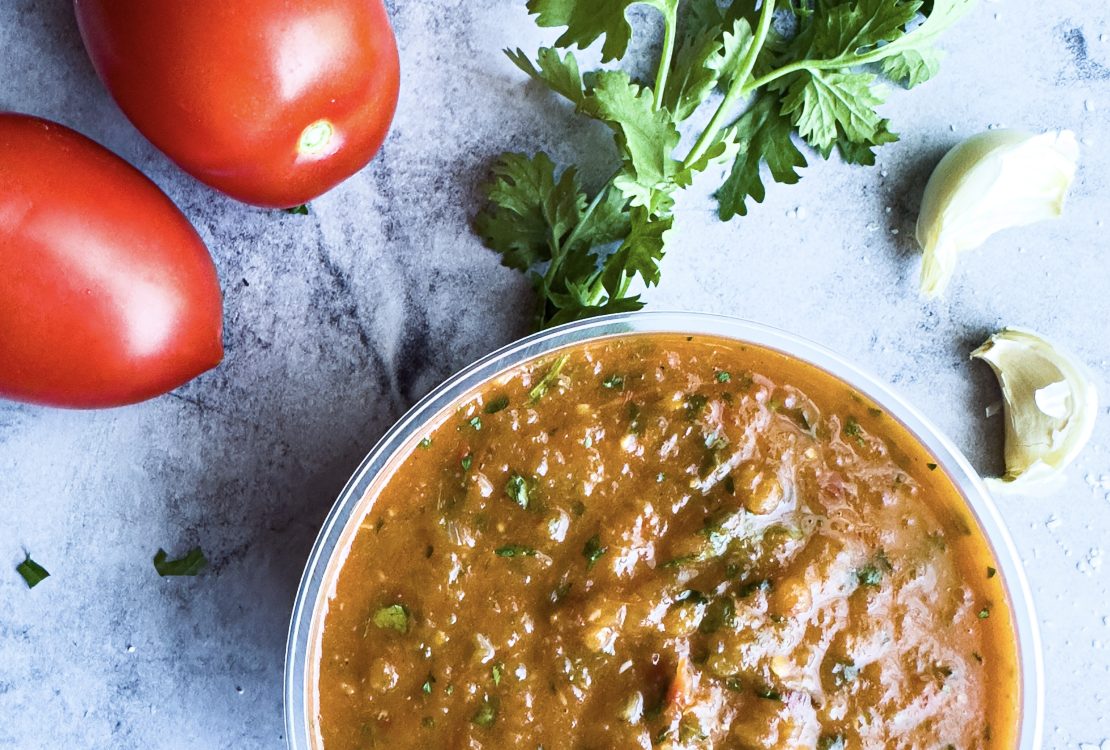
339	321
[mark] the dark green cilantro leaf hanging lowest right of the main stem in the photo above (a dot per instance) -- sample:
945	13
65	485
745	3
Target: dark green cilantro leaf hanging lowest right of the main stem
765	136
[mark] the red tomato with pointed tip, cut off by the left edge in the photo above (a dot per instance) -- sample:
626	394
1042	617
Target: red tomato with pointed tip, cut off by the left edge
108	296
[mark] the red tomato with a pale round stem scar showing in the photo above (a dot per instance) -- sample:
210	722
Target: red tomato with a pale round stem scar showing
274	103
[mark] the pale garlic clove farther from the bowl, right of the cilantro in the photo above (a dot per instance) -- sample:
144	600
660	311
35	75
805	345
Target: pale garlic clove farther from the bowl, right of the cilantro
991	183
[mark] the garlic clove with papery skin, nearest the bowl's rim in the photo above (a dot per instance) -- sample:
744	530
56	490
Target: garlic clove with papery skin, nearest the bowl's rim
1051	407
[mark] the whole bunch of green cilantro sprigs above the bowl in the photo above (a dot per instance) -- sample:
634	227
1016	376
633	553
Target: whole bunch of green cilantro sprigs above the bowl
792	73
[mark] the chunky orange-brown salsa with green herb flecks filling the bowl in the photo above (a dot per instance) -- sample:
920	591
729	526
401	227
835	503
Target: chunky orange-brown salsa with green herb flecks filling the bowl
663	542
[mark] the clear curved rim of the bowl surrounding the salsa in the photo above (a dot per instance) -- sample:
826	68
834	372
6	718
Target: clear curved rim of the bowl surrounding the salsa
342	523
